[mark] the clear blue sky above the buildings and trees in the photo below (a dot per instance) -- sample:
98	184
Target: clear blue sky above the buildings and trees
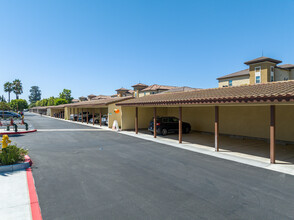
99	46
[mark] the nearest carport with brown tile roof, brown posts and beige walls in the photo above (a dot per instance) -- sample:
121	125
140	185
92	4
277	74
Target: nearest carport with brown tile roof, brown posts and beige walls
261	111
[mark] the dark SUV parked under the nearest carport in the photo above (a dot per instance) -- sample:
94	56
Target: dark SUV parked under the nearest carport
165	125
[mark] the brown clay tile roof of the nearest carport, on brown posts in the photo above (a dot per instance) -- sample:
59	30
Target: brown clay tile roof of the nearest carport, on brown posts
258	93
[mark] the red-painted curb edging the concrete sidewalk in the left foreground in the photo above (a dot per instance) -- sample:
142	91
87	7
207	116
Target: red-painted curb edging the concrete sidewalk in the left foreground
35	207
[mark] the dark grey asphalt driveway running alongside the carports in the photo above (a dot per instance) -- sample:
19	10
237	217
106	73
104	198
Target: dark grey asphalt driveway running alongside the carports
106	175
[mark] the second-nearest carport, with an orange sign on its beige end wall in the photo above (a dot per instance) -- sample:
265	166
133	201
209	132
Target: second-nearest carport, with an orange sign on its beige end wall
98	108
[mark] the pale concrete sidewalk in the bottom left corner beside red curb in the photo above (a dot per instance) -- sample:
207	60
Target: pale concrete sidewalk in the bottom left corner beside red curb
14	196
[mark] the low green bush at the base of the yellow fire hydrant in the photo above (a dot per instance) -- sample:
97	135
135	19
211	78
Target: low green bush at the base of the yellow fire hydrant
12	154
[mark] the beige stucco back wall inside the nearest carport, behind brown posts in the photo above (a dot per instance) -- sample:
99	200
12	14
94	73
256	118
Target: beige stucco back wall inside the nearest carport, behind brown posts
251	121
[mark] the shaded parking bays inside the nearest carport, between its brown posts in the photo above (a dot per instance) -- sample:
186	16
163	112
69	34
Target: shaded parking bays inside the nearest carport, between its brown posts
244	130
